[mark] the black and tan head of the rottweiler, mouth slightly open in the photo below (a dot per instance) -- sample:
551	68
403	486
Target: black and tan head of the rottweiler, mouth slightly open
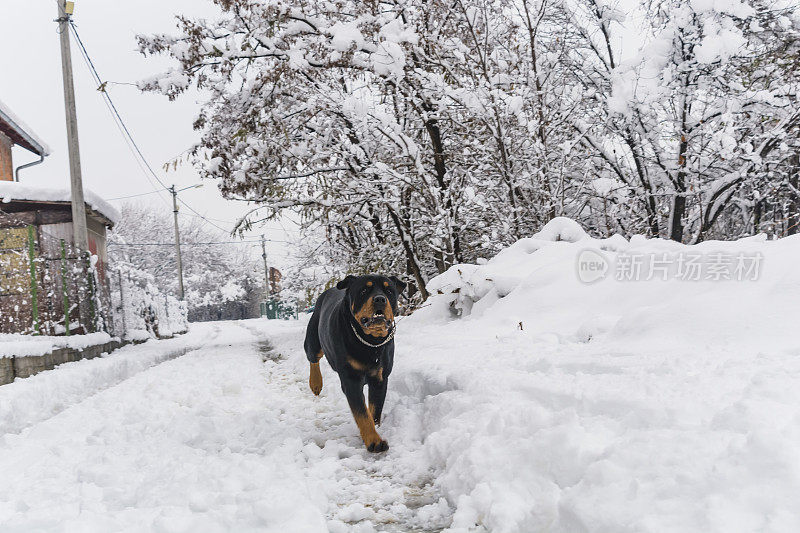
372	300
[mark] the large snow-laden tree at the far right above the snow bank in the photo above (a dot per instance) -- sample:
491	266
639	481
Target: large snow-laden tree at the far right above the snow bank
684	131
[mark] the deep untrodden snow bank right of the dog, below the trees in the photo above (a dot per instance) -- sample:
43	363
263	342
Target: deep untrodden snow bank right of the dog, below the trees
661	403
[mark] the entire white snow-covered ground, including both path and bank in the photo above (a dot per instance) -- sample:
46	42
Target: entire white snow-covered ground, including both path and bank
550	405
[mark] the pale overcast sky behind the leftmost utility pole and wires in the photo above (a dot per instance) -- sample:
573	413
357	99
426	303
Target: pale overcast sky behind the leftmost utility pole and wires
31	86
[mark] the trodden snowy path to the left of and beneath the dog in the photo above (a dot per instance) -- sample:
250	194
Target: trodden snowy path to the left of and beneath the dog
226	437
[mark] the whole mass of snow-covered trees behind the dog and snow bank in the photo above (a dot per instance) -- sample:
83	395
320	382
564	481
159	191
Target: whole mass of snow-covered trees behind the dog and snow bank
414	135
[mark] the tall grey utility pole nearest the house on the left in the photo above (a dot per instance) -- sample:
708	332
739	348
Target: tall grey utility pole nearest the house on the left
81	236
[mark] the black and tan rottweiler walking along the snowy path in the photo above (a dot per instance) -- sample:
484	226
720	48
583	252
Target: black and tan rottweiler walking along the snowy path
353	327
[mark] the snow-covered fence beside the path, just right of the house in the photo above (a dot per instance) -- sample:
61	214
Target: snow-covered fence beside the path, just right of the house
140	309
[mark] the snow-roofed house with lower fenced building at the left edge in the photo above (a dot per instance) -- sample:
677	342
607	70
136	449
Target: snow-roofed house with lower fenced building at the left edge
44	287
